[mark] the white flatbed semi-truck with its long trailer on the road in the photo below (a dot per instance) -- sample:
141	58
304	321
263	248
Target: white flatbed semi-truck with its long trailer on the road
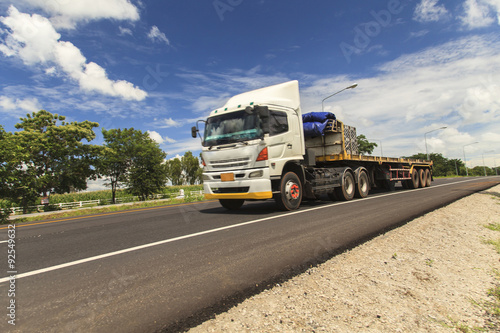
255	148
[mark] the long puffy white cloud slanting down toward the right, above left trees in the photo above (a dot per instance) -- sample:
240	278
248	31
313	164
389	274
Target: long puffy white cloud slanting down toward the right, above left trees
34	40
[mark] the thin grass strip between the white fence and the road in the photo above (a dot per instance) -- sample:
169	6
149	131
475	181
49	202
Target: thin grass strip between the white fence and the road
106	209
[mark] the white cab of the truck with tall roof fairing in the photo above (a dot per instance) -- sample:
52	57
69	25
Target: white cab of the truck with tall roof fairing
248	144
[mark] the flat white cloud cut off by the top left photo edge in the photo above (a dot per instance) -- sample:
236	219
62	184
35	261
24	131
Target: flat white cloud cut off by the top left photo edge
66	14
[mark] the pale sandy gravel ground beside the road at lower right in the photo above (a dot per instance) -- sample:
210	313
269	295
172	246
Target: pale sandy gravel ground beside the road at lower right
431	275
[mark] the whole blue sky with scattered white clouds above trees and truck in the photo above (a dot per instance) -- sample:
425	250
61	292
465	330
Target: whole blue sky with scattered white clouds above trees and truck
159	66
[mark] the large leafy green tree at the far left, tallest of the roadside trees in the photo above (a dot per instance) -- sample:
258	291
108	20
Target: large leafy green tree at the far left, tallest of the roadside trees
47	155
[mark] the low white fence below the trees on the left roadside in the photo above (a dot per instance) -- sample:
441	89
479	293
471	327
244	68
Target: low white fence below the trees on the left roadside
101	202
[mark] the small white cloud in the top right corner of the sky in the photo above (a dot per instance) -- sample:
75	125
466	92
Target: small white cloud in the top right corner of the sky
480	13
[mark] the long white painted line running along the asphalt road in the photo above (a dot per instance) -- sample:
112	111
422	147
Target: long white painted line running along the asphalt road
166	241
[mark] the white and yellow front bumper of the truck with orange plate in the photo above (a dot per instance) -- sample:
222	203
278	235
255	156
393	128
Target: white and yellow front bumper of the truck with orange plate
242	187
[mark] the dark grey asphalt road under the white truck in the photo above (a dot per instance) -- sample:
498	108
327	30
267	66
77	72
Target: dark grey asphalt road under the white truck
166	268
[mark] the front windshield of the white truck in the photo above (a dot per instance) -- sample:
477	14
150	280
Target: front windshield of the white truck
232	127
